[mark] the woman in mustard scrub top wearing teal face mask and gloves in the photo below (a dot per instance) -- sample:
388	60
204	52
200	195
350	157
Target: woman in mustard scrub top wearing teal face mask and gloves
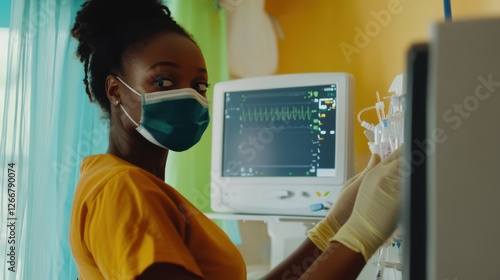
149	77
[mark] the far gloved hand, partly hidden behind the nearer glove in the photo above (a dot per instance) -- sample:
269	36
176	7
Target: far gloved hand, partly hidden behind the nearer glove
321	234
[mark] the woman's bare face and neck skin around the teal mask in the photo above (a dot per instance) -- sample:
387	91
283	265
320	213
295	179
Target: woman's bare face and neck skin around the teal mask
169	62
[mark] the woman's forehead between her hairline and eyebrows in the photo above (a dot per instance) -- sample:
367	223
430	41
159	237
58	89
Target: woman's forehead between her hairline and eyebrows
166	47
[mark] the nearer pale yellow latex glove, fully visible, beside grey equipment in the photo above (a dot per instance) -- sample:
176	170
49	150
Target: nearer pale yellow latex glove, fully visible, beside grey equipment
375	213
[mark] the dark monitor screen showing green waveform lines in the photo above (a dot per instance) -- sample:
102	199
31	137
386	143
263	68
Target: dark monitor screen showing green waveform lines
280	132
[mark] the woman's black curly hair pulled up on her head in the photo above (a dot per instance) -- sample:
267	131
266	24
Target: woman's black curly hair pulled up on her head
107	30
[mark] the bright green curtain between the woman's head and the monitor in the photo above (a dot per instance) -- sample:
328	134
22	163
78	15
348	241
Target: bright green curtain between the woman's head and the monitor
189	171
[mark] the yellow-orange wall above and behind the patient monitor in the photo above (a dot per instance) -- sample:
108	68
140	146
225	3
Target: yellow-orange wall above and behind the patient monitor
316	30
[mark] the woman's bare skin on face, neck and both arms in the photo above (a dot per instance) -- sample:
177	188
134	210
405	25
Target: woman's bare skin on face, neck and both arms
171	61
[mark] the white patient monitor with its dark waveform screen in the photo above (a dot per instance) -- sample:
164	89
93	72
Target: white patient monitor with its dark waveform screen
281	144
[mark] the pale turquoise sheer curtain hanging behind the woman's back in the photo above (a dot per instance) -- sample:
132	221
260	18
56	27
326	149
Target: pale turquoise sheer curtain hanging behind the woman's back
47	127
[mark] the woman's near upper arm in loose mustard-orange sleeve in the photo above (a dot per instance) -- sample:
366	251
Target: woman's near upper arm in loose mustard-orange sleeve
133	230
